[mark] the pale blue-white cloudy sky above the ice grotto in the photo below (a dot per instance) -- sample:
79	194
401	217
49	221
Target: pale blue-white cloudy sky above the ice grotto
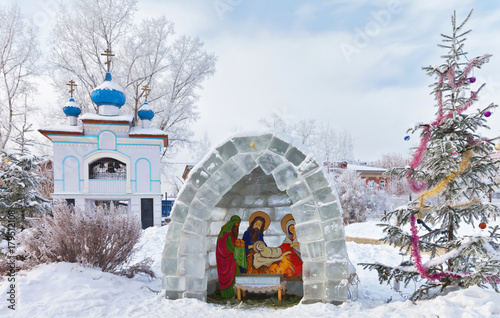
355	64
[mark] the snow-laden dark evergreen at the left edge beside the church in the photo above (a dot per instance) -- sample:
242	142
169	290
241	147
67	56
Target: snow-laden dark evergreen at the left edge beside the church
19	195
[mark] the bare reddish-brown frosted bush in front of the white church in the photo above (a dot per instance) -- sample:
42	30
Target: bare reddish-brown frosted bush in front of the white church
98	237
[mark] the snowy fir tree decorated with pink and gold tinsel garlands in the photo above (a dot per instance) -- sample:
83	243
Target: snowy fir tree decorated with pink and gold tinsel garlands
452	173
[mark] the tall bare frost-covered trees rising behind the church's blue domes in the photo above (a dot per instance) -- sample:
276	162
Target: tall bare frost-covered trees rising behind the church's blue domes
146	53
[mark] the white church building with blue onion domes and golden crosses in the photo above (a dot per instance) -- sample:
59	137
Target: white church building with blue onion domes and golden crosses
107	157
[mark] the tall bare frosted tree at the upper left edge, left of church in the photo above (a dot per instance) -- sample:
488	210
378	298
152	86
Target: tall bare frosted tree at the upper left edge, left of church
19	57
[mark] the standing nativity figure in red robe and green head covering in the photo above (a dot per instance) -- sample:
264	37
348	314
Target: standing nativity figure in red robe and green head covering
227	256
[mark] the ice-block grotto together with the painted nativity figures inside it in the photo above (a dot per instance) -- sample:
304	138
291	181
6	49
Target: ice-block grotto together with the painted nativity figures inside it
259	215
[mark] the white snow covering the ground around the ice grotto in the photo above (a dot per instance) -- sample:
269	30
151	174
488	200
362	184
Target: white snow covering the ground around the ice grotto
69	290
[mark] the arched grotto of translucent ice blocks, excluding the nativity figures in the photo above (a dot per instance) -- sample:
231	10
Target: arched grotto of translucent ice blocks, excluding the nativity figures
258	171
